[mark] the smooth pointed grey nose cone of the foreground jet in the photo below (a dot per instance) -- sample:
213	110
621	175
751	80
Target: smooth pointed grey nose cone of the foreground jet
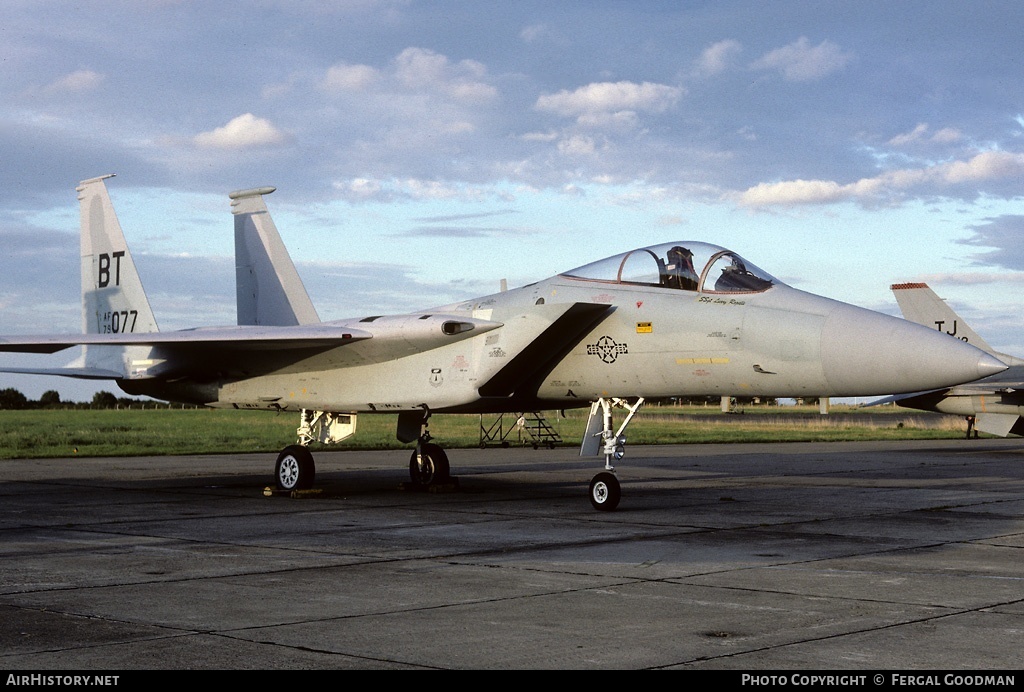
867	354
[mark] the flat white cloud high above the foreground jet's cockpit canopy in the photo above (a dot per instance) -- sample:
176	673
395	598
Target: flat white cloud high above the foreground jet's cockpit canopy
611	98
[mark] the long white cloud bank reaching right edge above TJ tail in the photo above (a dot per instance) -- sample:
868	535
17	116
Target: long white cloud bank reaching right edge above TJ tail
988	166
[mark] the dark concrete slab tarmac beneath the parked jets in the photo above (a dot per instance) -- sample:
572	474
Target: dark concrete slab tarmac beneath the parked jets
862	556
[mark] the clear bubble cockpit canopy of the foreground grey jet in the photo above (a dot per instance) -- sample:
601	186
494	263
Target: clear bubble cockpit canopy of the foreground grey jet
685	266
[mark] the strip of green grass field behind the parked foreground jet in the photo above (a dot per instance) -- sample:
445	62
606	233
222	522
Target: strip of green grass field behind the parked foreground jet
36	435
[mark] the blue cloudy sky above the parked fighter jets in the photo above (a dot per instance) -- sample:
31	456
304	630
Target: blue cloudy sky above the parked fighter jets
425	151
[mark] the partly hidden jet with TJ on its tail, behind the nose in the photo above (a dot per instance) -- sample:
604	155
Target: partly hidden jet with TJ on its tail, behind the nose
994	405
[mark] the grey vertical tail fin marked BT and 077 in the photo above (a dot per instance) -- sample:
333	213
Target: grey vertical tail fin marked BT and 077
113	298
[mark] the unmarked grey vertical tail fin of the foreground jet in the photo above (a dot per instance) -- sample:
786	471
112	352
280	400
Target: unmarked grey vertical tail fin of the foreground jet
269	289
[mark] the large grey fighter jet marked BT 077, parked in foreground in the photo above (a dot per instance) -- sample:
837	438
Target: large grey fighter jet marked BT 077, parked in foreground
677	319
